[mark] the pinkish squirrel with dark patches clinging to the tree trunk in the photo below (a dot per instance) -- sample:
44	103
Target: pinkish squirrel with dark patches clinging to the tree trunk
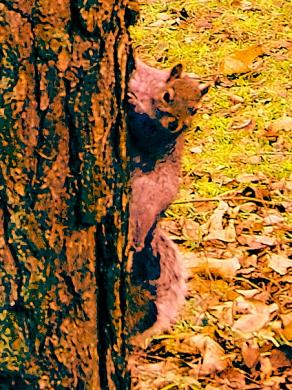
161	105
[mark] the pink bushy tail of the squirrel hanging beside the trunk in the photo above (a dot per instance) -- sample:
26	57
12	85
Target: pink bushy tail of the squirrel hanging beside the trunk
164	286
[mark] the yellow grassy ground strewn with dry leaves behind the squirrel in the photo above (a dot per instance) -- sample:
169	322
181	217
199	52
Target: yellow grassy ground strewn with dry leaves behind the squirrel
232	218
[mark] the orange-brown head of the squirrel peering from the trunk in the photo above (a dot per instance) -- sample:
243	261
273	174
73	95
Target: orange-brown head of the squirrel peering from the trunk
179	100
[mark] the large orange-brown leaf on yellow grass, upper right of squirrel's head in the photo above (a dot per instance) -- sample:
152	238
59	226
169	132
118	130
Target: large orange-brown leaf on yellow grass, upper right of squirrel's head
240	61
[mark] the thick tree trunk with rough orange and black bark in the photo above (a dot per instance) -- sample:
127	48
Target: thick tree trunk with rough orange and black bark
63	210
